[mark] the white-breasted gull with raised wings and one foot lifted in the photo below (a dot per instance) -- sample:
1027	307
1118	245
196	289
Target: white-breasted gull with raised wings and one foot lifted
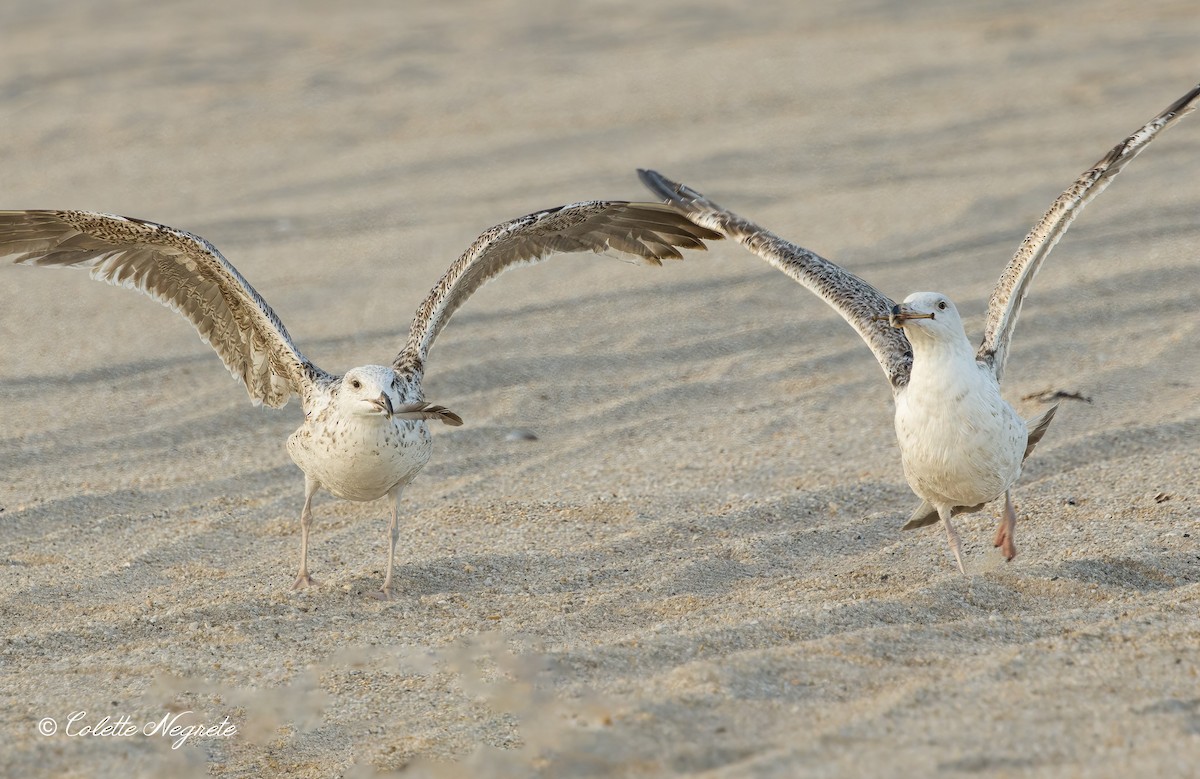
962	444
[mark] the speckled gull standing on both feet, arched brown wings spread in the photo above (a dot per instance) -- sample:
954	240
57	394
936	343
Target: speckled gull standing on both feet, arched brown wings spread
365	433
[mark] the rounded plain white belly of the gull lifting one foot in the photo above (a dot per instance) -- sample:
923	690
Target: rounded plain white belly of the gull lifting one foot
961	442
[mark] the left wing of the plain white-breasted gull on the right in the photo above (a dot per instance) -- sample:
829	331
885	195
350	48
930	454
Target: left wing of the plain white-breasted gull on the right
856	301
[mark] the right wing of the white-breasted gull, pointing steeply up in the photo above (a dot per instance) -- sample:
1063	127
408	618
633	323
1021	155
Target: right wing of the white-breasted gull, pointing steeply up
1005	305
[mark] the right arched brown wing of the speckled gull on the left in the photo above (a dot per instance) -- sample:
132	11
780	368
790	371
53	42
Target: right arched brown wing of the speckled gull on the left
644	232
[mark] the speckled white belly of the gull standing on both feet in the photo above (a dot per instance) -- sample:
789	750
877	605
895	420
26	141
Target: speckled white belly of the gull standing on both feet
362	458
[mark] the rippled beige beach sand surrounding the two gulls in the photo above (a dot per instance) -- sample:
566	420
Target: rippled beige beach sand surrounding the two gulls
698	568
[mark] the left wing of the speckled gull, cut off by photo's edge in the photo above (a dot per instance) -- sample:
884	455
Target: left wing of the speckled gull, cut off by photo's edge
179	271
